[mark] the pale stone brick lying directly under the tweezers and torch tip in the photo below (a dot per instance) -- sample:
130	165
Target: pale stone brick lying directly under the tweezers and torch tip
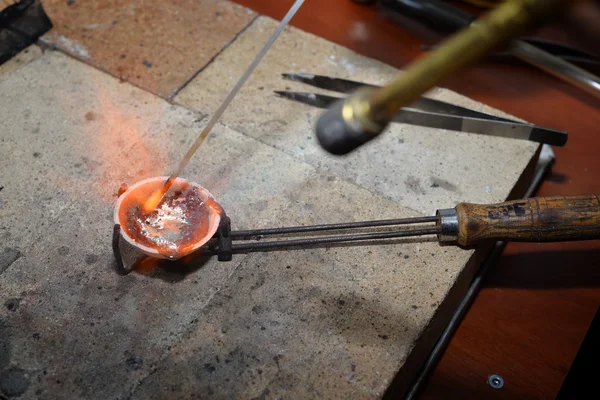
421	168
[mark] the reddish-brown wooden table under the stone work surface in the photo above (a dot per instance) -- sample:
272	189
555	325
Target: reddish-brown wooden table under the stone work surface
530	318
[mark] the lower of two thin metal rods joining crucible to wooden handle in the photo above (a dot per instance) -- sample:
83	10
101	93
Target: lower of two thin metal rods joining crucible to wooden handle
254	246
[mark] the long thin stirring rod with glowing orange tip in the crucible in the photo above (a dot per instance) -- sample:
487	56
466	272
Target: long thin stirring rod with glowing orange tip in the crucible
154	200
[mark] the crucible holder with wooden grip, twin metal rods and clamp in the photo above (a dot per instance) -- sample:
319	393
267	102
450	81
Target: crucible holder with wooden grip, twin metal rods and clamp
535	219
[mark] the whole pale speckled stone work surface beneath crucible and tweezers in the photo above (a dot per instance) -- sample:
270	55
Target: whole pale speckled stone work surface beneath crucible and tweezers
338	322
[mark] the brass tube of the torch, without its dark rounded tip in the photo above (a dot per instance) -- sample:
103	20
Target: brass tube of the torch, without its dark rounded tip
496	27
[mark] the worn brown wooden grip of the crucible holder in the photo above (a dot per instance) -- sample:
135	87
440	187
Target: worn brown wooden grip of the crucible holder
541	219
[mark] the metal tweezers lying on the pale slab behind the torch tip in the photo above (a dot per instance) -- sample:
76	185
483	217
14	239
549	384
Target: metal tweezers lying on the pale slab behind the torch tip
429	112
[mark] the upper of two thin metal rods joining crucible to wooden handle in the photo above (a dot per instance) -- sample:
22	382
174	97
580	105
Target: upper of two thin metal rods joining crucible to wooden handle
327	227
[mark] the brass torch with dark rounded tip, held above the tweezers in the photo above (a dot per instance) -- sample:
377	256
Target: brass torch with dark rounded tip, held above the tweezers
365	114
